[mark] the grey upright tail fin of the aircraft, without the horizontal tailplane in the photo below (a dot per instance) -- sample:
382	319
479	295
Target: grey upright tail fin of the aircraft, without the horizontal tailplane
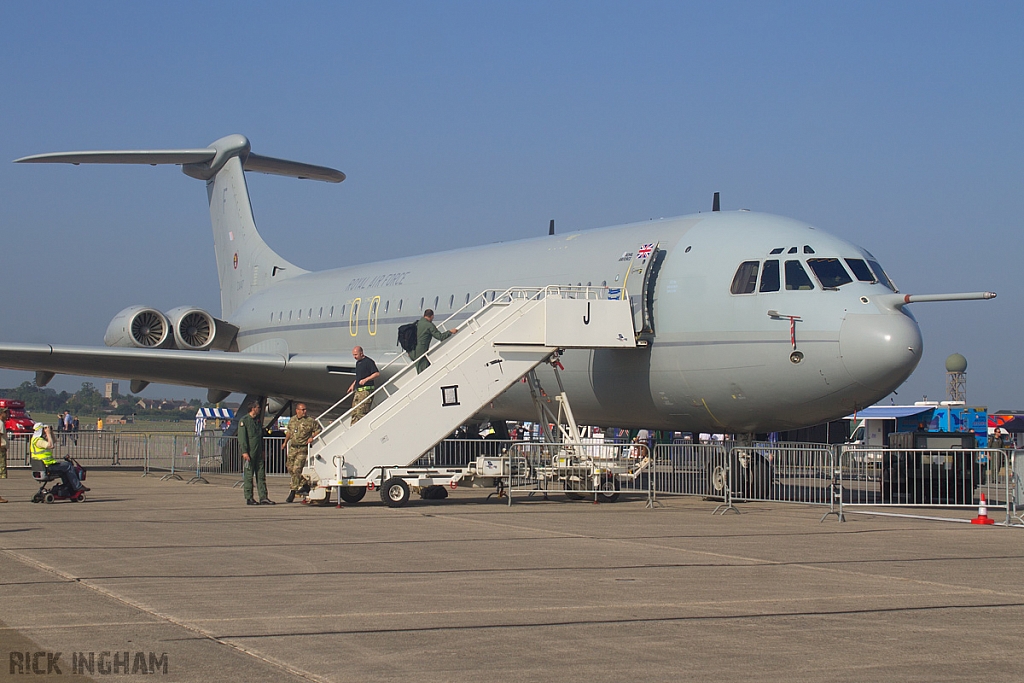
245	264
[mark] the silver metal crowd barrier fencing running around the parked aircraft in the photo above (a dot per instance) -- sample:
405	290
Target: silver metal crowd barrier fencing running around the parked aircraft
806	474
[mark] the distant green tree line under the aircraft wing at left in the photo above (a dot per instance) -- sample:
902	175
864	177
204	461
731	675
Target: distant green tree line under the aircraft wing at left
89	402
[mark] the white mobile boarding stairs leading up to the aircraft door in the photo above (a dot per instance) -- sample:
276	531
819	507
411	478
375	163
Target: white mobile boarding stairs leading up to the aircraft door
511	334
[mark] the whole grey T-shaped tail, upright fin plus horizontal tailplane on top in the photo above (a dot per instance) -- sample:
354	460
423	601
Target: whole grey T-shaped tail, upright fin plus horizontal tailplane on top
245	264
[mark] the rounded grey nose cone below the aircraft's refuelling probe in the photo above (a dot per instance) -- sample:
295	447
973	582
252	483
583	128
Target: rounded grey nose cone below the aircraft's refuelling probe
880	351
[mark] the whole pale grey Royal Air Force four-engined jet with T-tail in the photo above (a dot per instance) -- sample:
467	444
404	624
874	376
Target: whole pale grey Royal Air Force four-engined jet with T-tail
747	323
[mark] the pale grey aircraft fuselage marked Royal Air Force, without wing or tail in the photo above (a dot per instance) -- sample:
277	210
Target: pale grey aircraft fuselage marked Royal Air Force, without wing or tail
719	361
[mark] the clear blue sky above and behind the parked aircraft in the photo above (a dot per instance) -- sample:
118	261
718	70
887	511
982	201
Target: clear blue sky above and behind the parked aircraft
895	125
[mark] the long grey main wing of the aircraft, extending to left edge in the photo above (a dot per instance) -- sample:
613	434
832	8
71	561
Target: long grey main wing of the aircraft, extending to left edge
321	378
